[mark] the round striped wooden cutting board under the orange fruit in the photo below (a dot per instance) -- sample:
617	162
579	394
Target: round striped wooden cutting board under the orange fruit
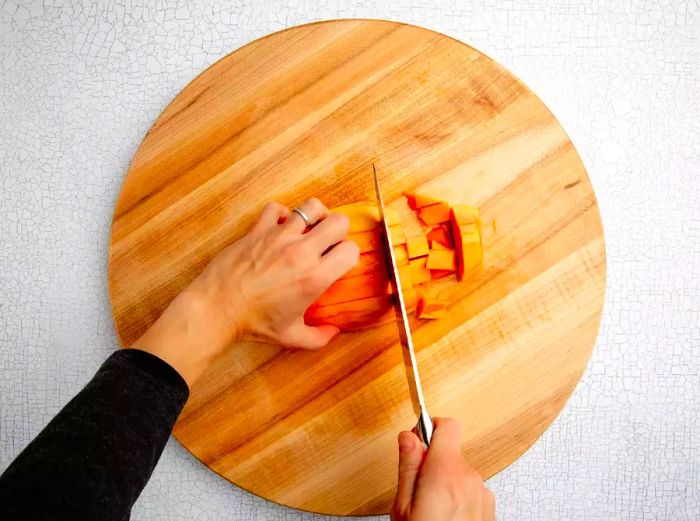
304	112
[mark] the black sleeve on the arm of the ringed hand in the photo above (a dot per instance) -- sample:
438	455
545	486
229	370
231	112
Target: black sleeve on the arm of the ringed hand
96	455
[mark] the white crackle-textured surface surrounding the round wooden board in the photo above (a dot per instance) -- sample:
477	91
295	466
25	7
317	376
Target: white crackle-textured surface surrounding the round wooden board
80	84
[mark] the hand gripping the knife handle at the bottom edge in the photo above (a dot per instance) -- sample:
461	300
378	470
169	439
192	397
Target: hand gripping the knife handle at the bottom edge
438	484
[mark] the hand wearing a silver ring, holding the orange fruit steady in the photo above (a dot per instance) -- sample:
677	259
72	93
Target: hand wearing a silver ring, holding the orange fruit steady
258	288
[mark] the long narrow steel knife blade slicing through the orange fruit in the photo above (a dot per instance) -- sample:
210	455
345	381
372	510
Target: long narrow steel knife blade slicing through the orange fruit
424	427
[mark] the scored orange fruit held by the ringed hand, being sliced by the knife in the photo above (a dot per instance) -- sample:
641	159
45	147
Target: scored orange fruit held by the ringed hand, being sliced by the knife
361	298
